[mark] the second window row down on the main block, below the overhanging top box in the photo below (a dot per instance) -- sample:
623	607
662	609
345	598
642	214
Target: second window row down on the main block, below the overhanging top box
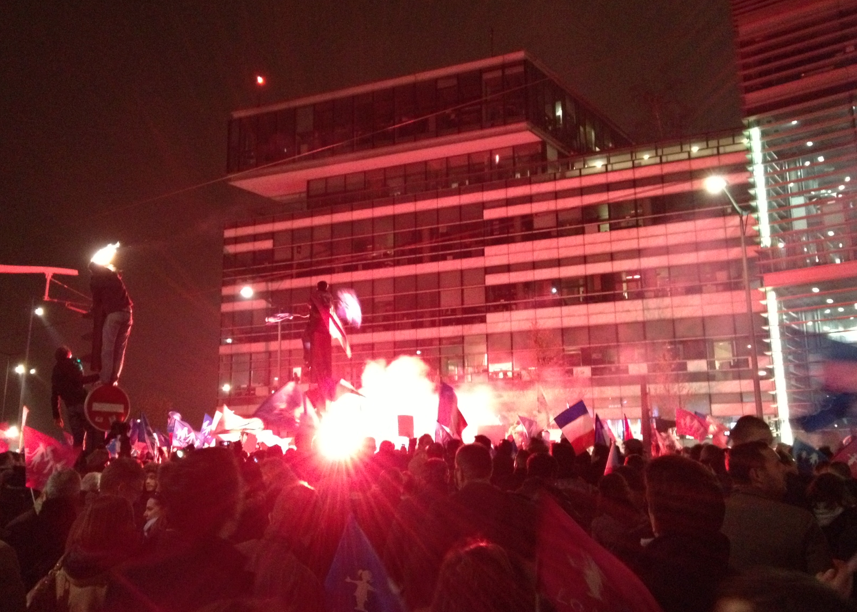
460	297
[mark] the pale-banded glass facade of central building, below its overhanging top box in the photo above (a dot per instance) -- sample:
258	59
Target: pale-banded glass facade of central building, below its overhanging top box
584	275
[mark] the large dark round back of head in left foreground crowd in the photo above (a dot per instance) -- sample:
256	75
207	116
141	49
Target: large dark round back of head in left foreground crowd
202	492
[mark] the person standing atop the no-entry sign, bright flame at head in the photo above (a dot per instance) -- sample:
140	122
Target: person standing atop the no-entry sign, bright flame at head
111	314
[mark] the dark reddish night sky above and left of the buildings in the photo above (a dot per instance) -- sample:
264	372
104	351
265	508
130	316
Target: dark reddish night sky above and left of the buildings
113	127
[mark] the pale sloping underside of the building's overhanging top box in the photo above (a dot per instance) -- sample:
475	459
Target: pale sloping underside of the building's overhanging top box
291	177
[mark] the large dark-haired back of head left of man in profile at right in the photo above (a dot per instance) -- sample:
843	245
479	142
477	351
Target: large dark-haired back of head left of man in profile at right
684	497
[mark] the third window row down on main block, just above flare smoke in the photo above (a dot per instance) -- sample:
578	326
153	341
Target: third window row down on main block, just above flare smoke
684	350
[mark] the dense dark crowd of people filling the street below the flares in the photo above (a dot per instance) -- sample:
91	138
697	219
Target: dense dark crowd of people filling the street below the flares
456	527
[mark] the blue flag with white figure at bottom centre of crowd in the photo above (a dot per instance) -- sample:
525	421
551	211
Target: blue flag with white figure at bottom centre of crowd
357	579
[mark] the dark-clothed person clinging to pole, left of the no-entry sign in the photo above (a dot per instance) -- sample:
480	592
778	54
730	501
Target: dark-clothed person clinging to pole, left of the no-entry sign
67	381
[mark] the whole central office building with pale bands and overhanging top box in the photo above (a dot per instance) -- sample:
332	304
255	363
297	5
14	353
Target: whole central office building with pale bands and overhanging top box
497	226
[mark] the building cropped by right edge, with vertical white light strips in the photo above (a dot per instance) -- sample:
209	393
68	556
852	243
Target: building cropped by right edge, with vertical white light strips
797	66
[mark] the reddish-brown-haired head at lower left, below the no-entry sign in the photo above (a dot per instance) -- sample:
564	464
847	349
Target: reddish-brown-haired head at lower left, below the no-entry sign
105	526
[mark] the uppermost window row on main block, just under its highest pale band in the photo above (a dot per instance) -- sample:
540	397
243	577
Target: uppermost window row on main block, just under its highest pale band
448	233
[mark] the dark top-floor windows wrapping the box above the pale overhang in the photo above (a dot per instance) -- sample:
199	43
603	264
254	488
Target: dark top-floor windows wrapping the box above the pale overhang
425	109
